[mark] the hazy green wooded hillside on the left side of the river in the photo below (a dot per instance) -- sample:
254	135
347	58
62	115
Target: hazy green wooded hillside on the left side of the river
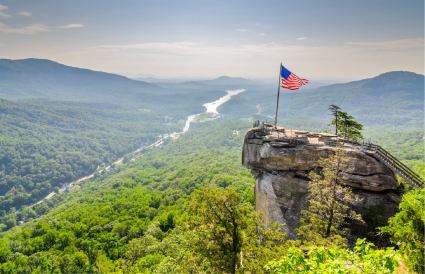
45	144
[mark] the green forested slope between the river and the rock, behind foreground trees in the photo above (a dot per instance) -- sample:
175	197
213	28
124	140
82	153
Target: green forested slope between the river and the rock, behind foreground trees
101	220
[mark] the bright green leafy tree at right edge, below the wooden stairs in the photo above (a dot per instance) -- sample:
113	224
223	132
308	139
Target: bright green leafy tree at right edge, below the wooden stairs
407	229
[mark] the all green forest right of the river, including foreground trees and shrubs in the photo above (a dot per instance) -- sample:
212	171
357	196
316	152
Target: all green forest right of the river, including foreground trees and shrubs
188	207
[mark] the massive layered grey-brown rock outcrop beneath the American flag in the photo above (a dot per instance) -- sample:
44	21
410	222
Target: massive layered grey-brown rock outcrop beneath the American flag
280	160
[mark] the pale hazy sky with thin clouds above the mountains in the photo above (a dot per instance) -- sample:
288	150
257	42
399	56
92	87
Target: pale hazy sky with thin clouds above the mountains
327	39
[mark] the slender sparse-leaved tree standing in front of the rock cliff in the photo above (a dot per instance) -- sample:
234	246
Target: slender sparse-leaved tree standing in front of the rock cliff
328	199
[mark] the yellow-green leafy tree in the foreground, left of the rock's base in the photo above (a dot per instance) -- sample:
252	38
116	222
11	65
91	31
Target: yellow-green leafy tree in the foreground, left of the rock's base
228	233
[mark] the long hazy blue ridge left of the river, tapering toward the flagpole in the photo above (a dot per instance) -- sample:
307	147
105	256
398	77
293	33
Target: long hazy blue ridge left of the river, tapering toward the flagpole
45	79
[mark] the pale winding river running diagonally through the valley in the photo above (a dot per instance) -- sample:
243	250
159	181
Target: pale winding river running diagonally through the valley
211	112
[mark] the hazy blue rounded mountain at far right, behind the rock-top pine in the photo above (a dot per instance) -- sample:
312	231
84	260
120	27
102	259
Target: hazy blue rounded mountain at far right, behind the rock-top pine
393	95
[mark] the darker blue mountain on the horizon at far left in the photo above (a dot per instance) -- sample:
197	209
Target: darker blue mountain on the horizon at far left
39	78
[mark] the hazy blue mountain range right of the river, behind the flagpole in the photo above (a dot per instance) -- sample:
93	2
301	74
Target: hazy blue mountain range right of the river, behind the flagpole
392	98
